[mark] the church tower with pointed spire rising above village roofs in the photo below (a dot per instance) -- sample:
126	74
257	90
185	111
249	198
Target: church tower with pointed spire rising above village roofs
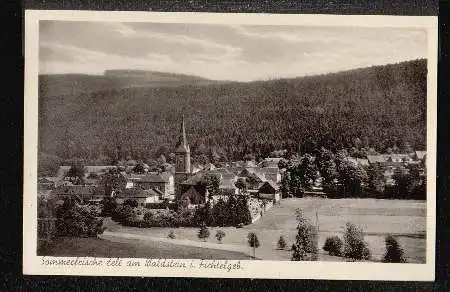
182	157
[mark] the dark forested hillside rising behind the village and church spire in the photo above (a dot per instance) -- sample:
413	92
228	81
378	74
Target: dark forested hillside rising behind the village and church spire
378	107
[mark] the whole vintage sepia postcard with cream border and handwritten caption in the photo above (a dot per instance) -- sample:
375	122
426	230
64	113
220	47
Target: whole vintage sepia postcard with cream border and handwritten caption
230	145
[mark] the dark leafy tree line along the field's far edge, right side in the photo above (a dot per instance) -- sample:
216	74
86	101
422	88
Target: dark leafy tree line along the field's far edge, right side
343	178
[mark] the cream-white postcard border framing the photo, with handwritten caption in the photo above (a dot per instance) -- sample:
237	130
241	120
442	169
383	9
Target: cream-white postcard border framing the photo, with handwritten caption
32	264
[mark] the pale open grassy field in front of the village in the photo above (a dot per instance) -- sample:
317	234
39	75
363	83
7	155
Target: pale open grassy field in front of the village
405	219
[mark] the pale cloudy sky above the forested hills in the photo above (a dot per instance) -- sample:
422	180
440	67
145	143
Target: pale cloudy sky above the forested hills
221	52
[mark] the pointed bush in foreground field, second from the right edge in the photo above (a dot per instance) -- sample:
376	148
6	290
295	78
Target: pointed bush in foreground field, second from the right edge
355	246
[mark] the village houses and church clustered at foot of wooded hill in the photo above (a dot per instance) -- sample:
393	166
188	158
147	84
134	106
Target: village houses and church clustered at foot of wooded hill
134	180
